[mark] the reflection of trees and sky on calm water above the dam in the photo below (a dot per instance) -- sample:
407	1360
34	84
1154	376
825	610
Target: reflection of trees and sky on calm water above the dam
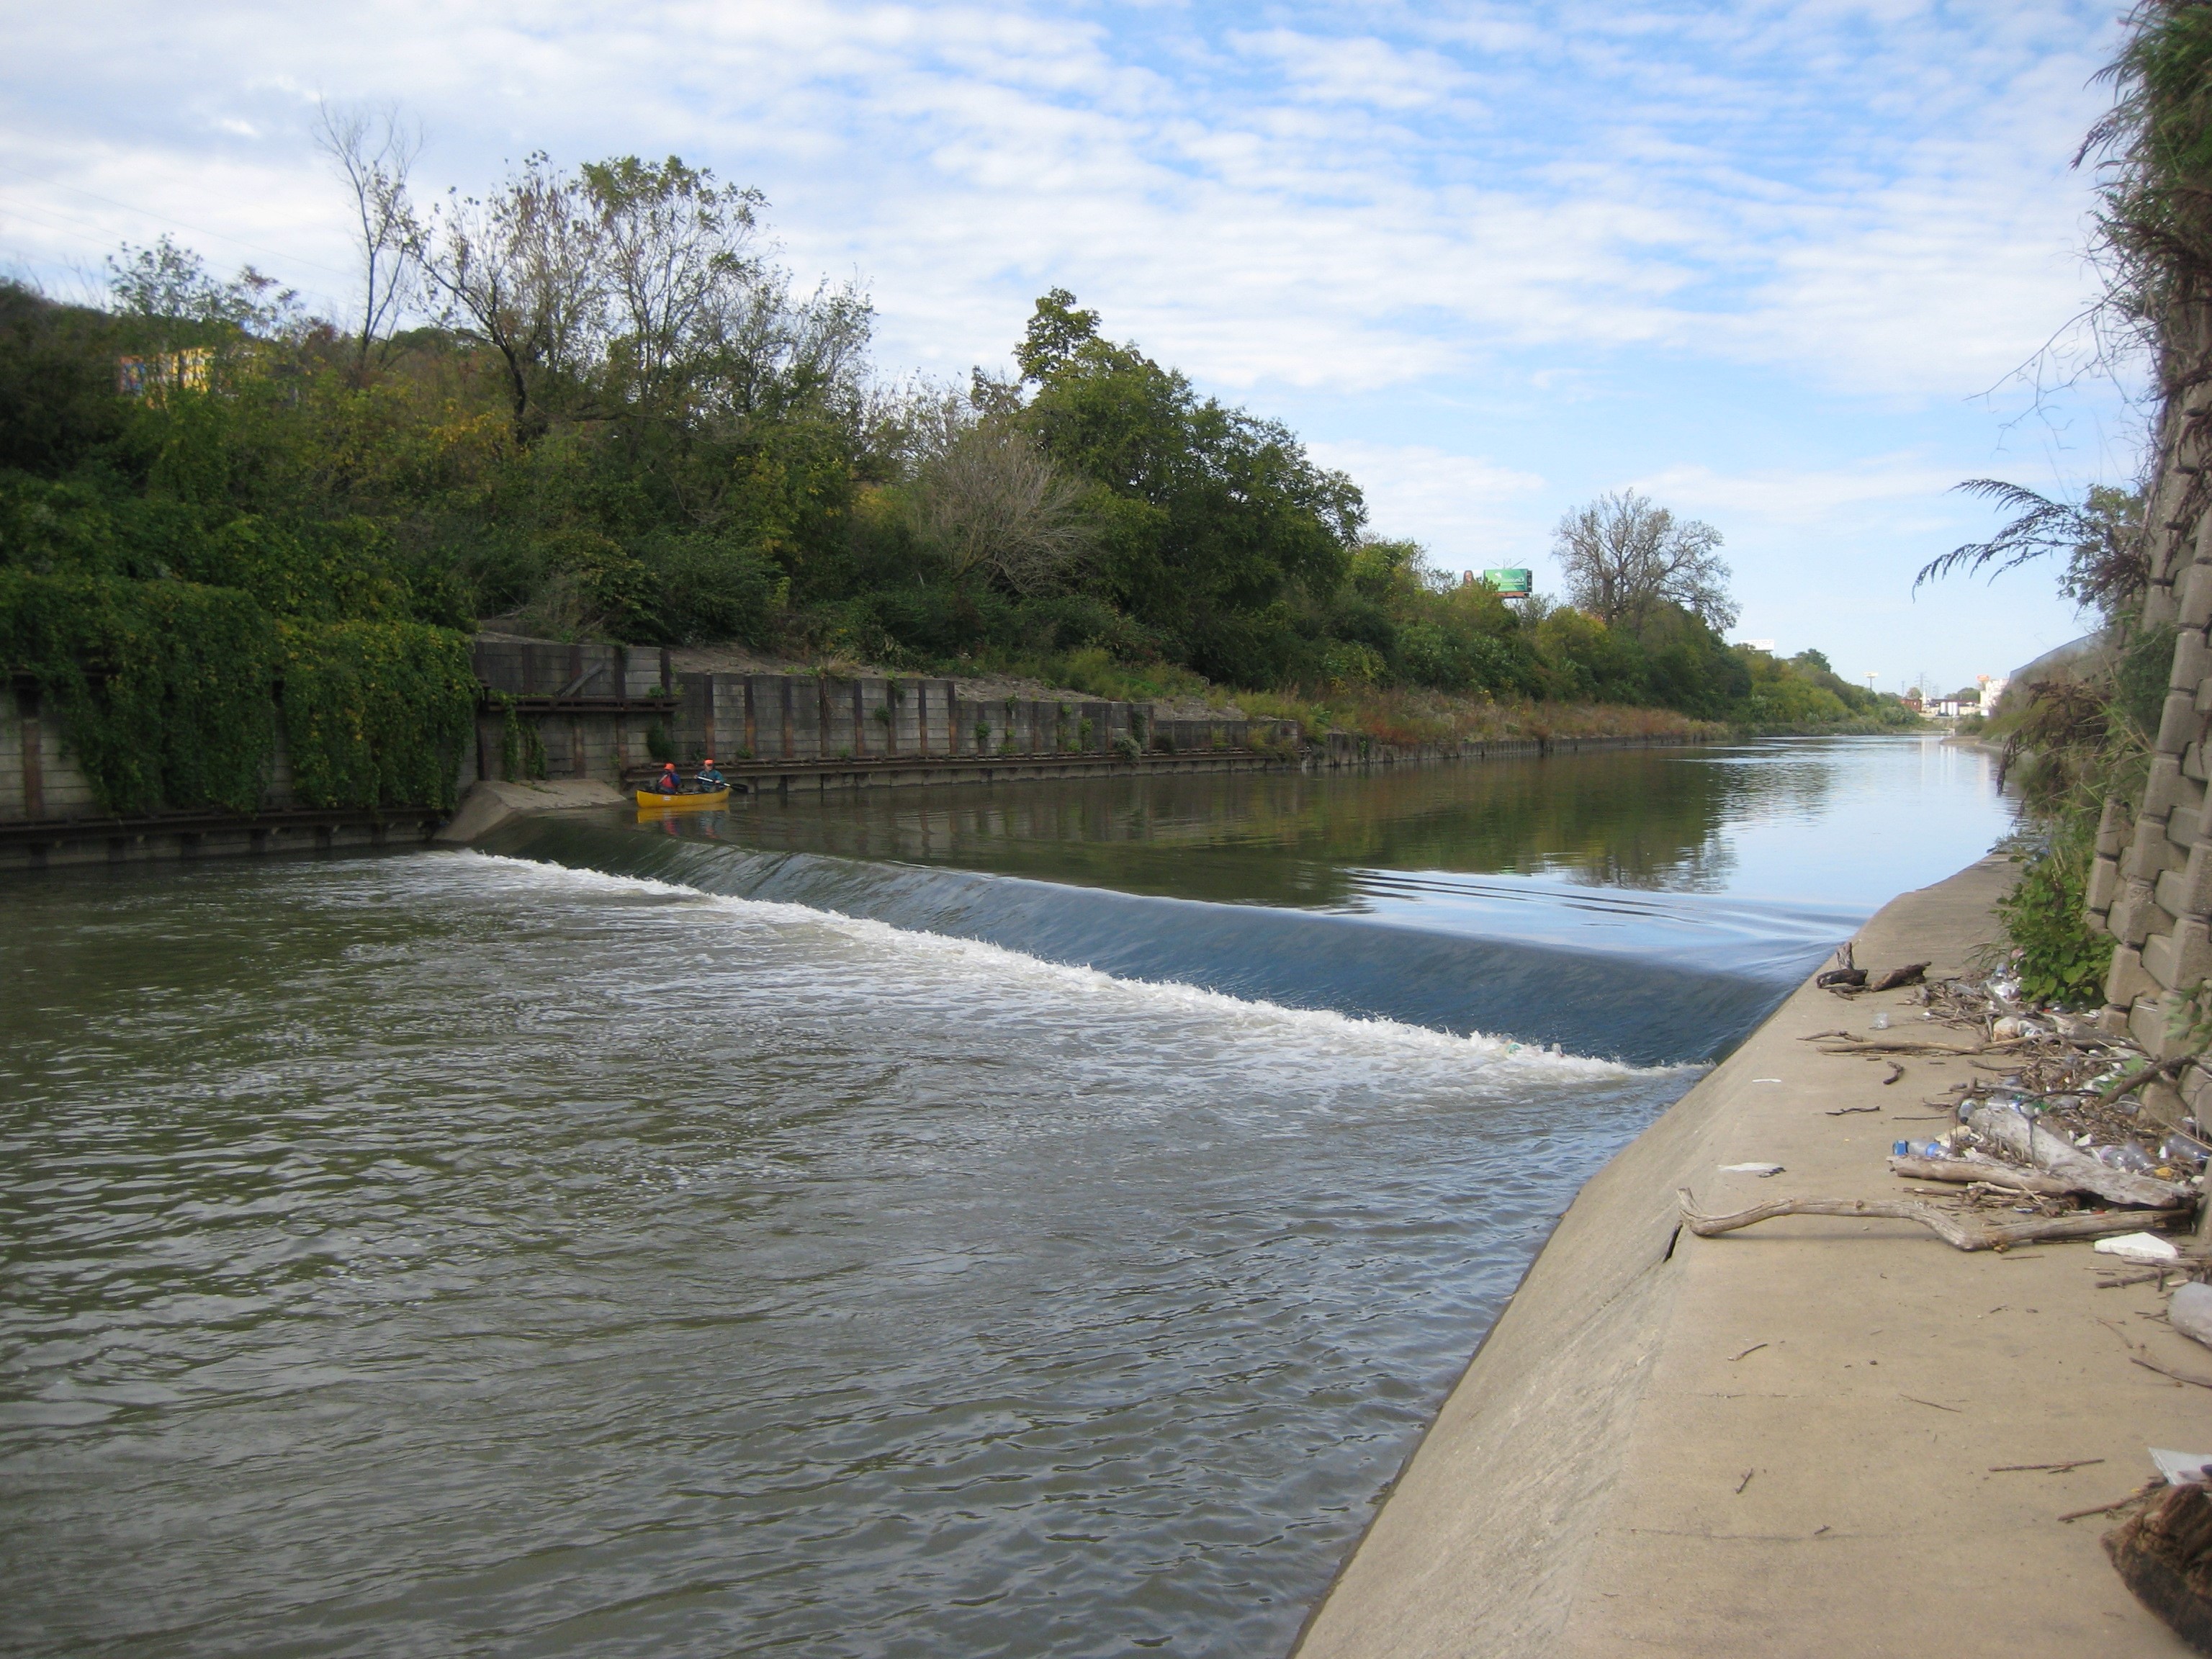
1881	815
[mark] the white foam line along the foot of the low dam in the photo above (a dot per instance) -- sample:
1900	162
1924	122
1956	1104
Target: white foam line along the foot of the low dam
1311	1027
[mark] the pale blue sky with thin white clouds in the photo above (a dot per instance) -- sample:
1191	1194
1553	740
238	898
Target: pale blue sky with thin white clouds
1786	267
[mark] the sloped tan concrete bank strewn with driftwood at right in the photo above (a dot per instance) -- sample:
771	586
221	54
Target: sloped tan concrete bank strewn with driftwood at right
1784	1439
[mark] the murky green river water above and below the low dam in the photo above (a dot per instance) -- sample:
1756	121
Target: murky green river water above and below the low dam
957	1222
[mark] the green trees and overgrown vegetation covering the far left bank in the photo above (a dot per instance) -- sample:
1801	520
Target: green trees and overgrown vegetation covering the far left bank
618	419
